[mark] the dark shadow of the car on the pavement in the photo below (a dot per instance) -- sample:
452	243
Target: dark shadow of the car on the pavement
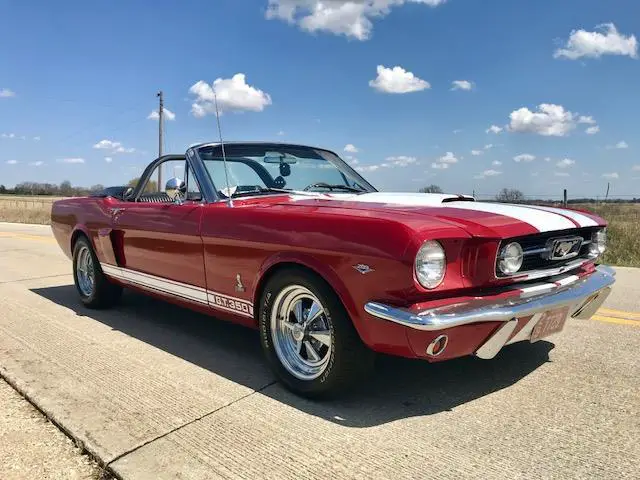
399	388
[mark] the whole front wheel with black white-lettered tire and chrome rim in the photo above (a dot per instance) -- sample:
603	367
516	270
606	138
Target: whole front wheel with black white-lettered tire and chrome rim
308	337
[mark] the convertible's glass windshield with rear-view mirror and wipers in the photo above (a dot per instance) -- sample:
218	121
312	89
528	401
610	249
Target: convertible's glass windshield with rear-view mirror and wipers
264	168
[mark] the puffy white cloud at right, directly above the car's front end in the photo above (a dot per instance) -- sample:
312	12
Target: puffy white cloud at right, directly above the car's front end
549	120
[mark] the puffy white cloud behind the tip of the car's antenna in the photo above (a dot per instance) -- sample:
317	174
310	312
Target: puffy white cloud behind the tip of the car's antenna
234	95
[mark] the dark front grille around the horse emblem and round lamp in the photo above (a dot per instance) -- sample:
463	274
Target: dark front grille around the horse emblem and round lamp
535	250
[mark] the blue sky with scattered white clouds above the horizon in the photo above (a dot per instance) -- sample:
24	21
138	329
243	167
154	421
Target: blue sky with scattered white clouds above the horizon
373	74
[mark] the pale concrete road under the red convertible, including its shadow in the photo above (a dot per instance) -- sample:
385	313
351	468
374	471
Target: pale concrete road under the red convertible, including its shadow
156	392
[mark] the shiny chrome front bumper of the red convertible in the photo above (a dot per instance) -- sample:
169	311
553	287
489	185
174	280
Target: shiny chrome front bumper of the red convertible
583	297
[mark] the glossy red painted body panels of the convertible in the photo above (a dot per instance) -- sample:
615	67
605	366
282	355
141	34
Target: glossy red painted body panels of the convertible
208	245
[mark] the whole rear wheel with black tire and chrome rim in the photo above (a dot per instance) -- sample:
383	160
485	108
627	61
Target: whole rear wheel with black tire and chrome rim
96	291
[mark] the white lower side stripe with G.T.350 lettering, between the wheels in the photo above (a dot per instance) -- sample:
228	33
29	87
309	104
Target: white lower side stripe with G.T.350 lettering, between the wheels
182	290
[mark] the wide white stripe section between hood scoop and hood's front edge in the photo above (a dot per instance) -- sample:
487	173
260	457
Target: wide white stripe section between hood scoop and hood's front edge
539	219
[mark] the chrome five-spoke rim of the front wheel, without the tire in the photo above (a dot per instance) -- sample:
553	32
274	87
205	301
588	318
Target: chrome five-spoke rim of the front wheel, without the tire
301	332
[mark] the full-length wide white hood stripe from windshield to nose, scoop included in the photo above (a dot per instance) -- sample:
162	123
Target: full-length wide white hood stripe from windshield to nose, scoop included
541	219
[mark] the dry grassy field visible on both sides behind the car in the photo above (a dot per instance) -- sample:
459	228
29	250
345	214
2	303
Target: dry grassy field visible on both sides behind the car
624	223
